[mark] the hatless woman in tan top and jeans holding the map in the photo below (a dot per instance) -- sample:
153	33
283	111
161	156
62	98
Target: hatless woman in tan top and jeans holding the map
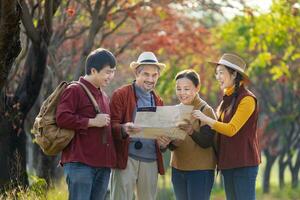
192	166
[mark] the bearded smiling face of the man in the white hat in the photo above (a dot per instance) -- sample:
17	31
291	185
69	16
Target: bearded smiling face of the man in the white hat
147	76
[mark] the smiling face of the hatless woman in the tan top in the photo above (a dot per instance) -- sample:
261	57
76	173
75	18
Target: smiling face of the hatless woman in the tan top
186	90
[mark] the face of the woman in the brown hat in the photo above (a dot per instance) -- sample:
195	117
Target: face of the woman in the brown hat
224	77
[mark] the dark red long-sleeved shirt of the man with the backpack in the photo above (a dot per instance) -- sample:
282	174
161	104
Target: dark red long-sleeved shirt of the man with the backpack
73	112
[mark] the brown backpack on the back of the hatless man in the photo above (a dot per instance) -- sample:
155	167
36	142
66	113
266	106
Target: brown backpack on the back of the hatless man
51	138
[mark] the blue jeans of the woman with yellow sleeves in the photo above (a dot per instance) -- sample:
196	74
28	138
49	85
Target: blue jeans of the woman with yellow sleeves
239	183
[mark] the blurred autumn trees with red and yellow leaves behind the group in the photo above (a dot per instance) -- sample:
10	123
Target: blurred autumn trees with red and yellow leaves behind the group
45	42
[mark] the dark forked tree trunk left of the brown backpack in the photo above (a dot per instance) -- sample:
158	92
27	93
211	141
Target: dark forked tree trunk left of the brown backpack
13	137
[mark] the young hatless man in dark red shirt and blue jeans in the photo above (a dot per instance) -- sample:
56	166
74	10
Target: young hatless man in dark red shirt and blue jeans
89	157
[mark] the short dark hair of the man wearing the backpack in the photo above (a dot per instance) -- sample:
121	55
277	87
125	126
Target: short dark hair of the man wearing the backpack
98	59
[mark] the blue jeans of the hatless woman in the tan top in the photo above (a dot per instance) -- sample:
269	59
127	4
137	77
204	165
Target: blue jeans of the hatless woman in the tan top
196	184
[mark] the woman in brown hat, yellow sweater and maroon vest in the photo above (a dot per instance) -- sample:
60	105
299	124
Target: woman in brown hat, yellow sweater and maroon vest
239	153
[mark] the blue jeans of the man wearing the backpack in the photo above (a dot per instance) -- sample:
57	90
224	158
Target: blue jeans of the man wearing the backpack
85	182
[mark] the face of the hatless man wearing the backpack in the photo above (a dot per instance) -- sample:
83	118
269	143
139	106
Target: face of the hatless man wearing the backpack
104	76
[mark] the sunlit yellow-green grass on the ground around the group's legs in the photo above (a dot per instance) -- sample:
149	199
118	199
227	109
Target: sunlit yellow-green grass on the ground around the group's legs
38	191
